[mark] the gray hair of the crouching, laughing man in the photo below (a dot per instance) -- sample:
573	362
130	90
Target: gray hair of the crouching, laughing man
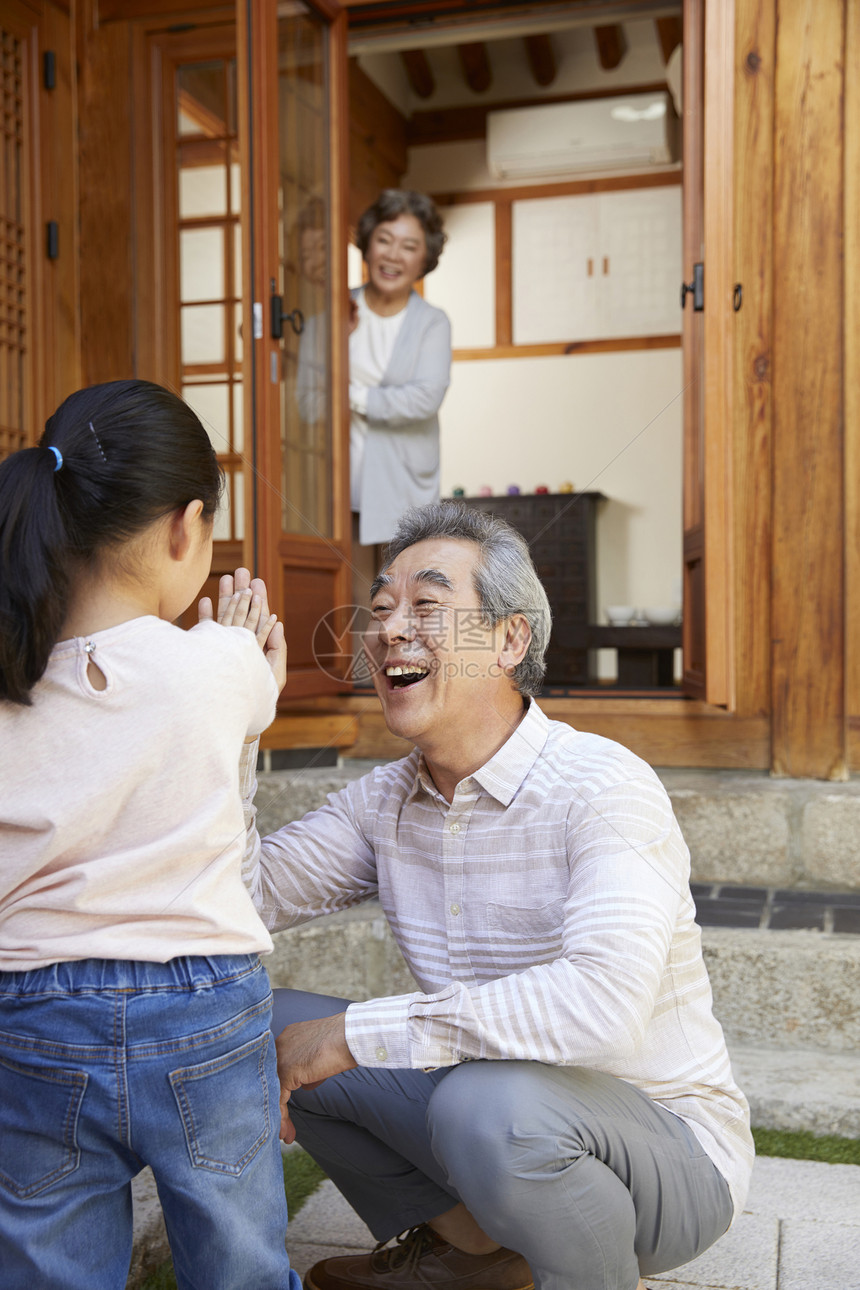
506	580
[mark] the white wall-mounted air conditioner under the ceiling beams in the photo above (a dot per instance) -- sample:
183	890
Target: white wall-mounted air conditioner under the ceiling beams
589	136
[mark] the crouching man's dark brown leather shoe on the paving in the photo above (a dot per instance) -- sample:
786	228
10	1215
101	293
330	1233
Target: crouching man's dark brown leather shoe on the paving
421	1258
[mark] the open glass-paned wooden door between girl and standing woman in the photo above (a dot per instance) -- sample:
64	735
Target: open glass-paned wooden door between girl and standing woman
293	106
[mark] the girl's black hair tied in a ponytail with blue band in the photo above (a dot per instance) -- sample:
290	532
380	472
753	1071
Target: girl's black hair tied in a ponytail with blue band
114	459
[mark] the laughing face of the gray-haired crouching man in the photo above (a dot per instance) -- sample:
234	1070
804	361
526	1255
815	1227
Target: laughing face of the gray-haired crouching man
436	664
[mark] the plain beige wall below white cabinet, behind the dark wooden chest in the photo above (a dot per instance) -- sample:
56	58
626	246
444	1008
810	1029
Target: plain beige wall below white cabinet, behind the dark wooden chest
604	422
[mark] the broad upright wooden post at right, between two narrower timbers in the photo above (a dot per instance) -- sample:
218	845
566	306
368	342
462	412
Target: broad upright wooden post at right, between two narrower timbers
808	602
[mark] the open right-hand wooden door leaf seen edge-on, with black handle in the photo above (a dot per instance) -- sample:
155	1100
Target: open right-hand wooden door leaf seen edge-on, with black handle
710	608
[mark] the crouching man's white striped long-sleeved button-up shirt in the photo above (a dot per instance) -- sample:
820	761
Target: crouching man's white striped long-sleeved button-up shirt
545	913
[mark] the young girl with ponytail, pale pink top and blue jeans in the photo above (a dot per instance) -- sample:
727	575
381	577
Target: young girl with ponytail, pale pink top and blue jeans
133	1007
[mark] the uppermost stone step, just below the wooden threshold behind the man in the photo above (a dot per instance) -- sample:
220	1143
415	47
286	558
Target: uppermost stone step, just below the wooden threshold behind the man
742	828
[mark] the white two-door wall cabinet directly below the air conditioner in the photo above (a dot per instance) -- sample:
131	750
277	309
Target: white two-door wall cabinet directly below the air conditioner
598	266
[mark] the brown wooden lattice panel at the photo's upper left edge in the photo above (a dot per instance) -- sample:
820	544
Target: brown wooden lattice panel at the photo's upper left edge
14	303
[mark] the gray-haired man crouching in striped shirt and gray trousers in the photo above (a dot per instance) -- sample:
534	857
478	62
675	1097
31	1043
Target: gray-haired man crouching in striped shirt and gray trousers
555	1105
